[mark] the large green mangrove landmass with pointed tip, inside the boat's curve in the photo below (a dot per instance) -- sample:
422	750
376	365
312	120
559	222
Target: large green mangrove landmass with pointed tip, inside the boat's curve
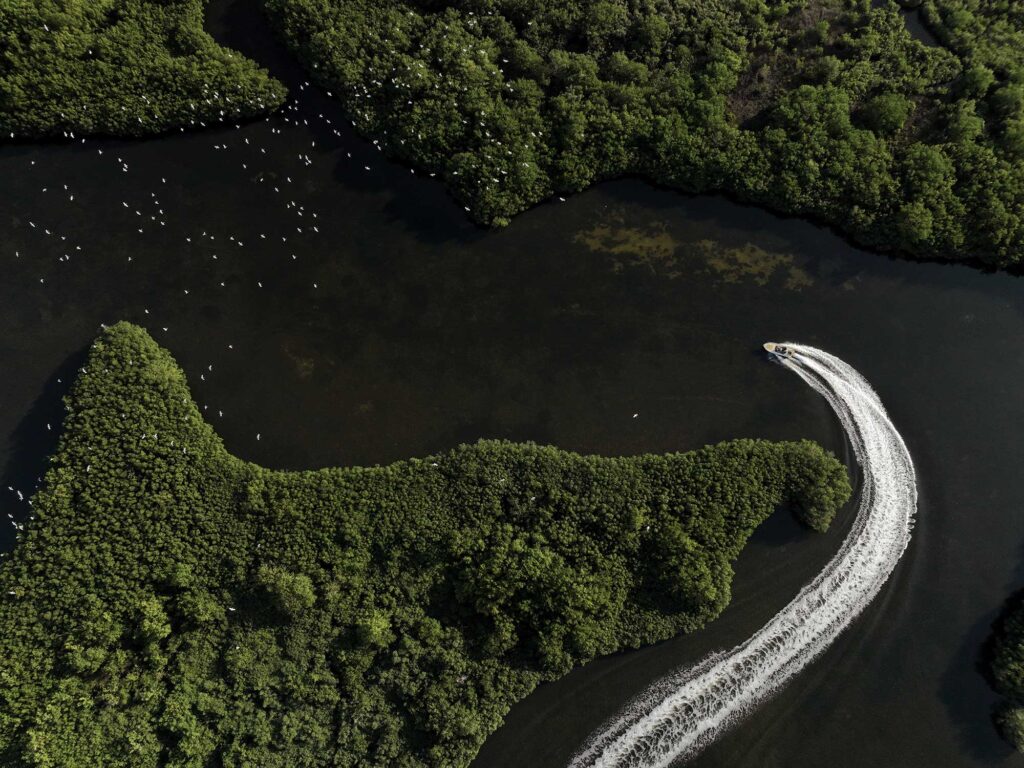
174	606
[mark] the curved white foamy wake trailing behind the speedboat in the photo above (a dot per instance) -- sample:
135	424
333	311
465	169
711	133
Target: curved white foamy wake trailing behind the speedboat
685	712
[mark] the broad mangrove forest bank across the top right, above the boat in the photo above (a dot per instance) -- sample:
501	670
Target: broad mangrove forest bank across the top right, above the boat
827	109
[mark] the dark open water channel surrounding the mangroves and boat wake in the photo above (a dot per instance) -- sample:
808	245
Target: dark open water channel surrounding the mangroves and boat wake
423	332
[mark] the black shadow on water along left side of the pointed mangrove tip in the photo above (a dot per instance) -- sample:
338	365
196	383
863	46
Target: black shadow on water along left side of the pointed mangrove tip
33	442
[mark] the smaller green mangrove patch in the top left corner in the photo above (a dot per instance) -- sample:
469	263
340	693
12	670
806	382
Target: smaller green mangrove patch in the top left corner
123	68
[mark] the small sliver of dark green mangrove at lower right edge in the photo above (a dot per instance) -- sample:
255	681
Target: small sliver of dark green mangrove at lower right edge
1007	672
